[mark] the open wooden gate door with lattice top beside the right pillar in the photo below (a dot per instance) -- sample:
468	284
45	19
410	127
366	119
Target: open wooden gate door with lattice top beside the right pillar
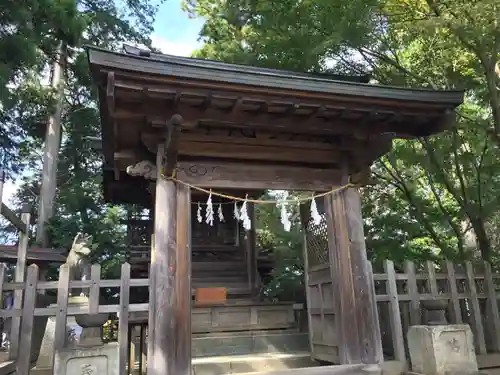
320	290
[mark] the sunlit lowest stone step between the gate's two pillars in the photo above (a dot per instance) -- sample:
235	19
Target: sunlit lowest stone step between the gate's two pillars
251	363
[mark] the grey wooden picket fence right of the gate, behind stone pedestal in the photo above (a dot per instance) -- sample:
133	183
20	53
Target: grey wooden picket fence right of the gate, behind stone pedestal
471	290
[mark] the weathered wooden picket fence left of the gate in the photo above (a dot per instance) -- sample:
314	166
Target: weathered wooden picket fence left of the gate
26	310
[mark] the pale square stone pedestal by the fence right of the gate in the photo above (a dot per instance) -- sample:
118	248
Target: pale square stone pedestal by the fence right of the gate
442	349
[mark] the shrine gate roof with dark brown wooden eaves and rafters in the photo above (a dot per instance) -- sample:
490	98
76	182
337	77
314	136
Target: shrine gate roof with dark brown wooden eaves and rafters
240	114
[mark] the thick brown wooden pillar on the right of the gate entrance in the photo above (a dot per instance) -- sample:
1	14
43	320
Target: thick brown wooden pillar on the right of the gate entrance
359	329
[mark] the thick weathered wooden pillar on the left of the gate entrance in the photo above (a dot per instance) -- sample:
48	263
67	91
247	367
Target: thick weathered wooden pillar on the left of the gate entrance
169	343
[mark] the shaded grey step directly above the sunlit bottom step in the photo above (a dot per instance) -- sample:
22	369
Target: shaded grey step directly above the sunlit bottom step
246	343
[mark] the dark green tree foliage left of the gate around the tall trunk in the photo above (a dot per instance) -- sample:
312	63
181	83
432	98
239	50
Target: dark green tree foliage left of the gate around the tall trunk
79	205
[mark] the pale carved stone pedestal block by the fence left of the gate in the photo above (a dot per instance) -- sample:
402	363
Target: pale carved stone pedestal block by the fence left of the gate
100	360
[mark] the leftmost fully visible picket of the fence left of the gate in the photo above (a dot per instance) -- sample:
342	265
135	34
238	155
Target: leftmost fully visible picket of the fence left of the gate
23	361
